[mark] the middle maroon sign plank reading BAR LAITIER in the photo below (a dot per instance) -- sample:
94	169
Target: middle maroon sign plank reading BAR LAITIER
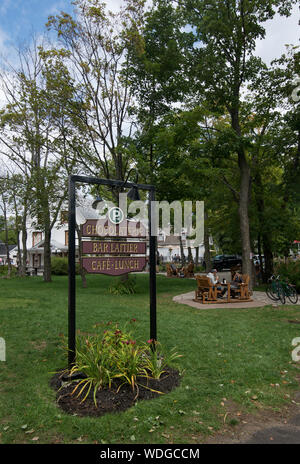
113	248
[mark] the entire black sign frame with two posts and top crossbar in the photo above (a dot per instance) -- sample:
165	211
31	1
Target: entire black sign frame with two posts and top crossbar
73	179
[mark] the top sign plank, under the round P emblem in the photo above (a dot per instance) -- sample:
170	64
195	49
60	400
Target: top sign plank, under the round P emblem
105	228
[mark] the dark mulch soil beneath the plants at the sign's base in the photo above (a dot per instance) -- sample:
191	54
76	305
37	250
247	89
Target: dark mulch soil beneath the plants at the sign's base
109	400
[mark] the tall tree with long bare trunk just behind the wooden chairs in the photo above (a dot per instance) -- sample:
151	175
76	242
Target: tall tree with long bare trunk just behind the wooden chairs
223	62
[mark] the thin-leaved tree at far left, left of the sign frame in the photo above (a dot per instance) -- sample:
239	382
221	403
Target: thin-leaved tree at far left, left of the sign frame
33	138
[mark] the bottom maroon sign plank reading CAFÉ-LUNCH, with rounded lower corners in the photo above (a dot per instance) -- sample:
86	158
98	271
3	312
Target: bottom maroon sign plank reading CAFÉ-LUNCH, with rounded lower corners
114	265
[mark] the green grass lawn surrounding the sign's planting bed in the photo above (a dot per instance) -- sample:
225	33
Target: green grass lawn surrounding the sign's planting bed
243	355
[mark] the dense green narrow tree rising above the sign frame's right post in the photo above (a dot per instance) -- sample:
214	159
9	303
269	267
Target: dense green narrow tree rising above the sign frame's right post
156	73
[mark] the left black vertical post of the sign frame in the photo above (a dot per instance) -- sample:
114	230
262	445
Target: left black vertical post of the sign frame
72	274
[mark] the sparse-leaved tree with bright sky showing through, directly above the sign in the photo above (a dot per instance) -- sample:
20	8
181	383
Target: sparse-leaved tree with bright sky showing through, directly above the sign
96	54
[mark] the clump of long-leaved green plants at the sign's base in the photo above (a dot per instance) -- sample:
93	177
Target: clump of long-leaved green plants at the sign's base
116	355
